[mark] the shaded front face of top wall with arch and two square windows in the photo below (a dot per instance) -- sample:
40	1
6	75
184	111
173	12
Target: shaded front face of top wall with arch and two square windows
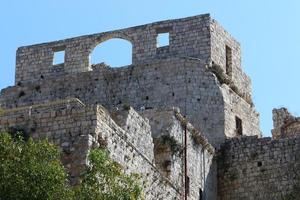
188	37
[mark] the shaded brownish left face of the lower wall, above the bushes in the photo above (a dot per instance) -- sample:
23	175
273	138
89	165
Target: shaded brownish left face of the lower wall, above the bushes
66	123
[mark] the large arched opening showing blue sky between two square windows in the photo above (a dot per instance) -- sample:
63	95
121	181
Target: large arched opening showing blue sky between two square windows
113	52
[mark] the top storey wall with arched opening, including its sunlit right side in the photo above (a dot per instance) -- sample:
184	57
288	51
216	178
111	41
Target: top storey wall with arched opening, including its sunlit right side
197	37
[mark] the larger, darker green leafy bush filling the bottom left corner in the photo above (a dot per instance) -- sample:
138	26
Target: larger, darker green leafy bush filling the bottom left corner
31	170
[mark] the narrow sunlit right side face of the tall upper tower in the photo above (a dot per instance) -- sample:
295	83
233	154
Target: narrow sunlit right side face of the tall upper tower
235	84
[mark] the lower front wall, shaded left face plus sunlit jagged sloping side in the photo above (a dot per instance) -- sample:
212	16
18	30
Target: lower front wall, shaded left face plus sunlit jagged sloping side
77	129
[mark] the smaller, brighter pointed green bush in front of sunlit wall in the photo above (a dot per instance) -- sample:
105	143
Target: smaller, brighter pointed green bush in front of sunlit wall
104	179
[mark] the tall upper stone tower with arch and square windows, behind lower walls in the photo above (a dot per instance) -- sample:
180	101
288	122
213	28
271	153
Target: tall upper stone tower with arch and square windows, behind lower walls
199	72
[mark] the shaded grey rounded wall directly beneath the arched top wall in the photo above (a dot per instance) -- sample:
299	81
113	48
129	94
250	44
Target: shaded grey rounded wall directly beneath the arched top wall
163	83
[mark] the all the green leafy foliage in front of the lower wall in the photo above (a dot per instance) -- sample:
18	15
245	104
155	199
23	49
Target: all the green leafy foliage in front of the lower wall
32	170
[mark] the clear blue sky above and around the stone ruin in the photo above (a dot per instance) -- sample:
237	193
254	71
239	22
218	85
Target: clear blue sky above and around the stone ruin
269	31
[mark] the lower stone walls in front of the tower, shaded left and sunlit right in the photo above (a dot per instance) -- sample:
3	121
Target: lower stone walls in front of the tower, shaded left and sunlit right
77	128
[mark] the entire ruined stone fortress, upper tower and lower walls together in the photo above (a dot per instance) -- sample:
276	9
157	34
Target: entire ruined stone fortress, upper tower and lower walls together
191	94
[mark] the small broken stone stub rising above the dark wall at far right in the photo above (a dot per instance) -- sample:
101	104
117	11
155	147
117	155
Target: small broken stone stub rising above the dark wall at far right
285	124
